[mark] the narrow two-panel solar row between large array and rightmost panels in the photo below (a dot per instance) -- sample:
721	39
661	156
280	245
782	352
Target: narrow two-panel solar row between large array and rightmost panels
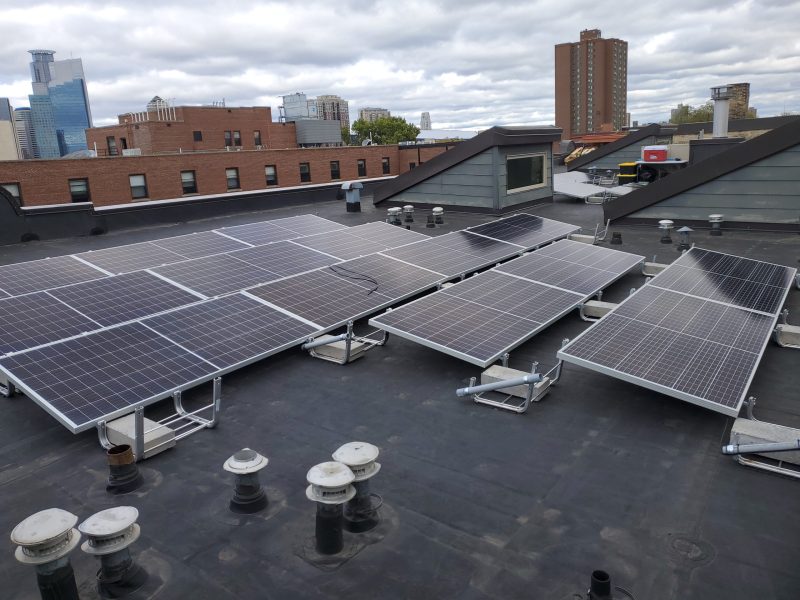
485	316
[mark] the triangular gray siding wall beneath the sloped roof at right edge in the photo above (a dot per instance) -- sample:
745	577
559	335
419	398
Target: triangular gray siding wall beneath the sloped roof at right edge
766	191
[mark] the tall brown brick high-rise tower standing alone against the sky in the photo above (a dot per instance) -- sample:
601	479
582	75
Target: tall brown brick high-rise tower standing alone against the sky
591	84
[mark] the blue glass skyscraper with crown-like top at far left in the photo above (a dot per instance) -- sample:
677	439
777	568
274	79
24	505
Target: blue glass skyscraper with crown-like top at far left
60	110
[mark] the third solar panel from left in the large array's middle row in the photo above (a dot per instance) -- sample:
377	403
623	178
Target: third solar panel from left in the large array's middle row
216	275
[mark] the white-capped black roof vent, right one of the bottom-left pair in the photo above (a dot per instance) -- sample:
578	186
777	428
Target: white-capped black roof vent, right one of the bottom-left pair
110	532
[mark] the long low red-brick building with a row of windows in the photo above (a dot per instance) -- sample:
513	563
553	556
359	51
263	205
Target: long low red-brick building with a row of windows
115	180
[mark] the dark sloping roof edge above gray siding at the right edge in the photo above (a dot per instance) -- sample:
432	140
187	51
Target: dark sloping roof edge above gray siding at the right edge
737	157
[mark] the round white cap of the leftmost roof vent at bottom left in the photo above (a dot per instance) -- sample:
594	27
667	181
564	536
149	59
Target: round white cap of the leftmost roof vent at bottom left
45	536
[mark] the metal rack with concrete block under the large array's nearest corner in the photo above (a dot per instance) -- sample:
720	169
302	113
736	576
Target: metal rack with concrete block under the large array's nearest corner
148	438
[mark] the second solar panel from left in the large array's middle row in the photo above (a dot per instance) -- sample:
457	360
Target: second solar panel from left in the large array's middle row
122	298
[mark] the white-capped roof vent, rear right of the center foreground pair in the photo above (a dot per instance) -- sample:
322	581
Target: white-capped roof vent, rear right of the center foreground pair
360	513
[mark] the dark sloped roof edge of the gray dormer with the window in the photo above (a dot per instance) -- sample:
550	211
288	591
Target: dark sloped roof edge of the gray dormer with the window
496	136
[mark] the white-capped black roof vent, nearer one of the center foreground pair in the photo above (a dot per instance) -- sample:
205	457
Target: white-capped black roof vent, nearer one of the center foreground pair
330	488
